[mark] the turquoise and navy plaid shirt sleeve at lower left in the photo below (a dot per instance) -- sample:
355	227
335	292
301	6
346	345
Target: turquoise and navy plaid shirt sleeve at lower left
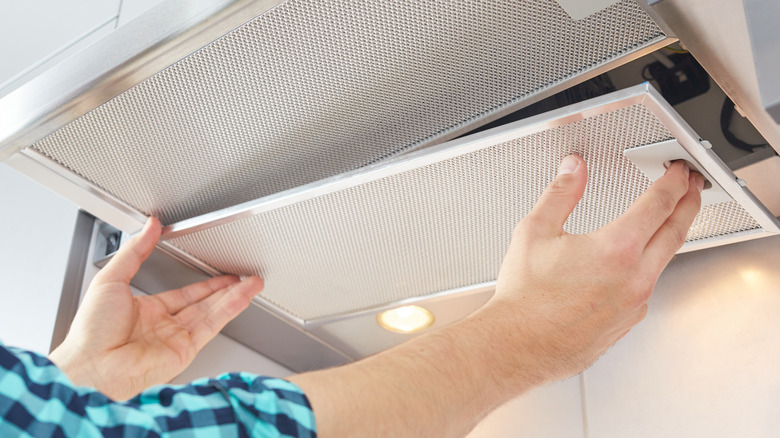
37	399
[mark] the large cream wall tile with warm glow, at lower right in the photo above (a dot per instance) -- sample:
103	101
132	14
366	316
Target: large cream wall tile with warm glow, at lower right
706	361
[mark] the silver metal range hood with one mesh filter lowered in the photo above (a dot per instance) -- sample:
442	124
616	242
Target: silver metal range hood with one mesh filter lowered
311	142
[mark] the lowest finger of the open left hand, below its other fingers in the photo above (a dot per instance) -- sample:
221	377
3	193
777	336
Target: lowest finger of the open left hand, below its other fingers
222	308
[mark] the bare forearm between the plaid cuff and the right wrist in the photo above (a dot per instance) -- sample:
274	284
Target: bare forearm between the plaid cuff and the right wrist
436	385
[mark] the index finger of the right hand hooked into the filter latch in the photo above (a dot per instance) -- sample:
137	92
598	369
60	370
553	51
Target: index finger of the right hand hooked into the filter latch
651	210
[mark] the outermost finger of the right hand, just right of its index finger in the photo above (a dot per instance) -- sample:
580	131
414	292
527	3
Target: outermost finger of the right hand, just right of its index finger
670	237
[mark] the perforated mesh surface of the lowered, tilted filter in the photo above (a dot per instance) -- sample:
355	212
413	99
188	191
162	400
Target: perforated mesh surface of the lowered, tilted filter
438	227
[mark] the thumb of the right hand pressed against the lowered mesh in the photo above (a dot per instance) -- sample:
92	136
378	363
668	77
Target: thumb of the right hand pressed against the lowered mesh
561	196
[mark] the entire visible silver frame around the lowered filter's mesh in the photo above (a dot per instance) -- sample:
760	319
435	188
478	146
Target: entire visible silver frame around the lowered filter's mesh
642	94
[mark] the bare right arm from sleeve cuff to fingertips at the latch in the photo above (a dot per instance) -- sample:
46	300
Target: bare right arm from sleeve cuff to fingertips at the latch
561	300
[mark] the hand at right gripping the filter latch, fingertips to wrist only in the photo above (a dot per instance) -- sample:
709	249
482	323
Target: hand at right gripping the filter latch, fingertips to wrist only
574	296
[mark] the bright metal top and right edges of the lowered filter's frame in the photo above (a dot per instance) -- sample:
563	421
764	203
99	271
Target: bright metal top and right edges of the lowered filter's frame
643	93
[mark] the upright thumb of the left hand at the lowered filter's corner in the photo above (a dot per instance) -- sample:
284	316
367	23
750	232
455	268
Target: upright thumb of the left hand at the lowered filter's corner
126	262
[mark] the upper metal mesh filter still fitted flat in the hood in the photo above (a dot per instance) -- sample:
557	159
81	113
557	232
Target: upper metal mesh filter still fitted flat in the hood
312	89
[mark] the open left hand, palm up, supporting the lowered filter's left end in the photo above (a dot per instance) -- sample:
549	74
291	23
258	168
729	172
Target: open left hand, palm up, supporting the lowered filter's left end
121	344
